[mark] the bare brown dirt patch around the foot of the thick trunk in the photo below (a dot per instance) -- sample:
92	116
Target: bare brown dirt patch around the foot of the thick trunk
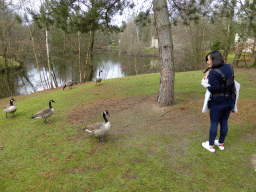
139	114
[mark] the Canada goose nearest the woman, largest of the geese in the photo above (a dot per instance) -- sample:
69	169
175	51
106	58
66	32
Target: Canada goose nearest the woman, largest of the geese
101	128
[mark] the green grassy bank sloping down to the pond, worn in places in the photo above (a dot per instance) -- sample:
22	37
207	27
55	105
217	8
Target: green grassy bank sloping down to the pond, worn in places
59	156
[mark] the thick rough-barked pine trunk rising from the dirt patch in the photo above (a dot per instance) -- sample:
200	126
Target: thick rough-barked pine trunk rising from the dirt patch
163	27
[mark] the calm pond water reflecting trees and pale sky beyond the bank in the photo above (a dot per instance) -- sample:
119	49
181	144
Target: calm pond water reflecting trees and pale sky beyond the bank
113	64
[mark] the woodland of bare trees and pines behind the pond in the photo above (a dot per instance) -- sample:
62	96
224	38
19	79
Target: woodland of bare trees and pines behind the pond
64	27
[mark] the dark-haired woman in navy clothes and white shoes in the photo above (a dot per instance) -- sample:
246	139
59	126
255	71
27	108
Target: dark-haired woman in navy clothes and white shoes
222	101
